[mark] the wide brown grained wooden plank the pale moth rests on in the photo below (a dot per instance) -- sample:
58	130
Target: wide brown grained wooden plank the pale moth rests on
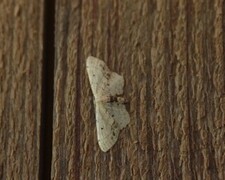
171	56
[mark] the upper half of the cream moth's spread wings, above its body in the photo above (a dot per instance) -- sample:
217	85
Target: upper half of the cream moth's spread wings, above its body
103	82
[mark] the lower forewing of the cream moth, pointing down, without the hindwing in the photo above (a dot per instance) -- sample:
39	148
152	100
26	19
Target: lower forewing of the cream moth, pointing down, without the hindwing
107	127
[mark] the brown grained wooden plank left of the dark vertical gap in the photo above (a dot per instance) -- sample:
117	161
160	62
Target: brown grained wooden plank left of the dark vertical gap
21	47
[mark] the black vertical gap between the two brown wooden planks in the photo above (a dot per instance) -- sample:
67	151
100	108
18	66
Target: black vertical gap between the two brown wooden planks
46	127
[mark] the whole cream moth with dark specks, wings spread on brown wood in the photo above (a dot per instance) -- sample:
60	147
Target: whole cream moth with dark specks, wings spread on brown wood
111	114
